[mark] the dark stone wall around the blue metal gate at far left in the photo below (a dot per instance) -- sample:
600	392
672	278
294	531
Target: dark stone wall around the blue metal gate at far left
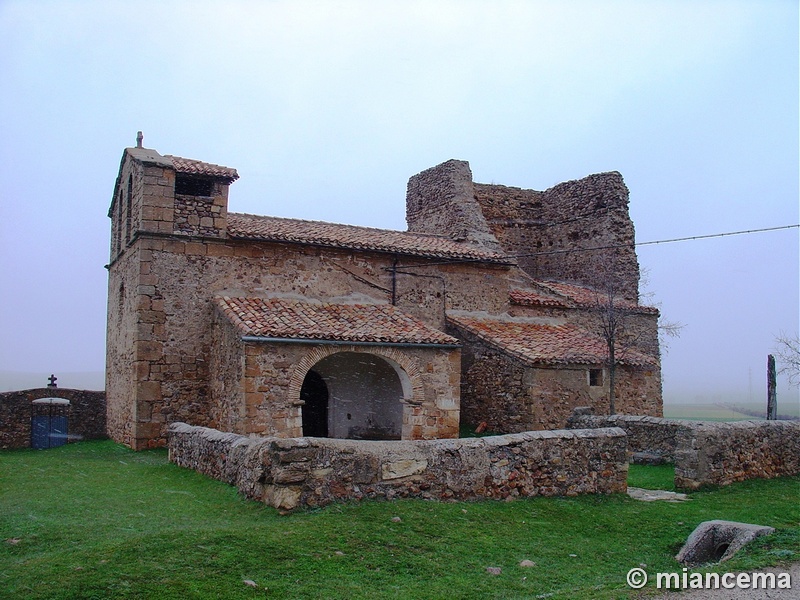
87	414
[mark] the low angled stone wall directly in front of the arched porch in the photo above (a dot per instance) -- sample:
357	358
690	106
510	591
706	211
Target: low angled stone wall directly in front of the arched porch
288	473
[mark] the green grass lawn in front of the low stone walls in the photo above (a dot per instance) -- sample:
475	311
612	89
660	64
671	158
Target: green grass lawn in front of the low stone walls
96	520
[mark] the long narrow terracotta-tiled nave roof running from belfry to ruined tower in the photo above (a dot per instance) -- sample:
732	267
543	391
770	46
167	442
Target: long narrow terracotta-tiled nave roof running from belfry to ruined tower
354	237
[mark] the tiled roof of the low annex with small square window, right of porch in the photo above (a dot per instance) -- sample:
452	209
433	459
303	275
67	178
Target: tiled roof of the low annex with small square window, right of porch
539	343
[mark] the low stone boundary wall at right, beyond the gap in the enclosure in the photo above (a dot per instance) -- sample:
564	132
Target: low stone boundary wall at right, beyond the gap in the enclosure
709	453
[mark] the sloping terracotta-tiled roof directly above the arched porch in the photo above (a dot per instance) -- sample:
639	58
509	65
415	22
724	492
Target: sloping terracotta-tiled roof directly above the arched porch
295	319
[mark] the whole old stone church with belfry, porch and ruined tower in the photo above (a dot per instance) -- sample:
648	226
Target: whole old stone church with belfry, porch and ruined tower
487	310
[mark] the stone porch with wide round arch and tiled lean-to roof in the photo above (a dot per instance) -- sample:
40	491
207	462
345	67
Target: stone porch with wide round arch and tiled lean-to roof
290	368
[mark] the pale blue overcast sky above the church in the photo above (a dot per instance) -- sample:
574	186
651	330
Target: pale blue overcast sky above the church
326	109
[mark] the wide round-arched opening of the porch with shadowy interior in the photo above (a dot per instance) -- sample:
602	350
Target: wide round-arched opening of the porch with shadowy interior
354	395
